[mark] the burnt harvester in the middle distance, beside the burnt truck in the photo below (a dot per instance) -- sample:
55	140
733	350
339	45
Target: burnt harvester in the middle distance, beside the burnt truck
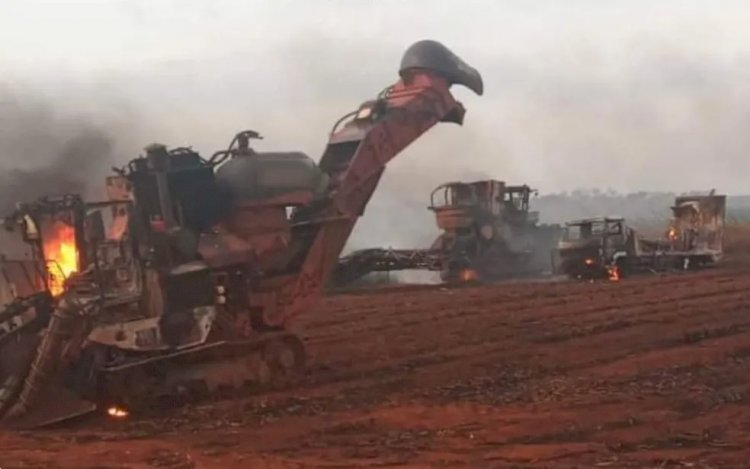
488	232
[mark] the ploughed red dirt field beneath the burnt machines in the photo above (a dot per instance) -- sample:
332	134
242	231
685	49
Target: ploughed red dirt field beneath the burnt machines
646	372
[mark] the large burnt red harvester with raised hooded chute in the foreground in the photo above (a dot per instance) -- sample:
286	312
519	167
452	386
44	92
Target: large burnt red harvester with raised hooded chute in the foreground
182	285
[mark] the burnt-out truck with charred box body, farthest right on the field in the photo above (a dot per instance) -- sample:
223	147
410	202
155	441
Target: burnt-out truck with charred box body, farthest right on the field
607	247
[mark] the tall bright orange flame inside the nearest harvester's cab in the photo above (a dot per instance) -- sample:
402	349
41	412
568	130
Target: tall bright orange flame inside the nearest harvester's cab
60	255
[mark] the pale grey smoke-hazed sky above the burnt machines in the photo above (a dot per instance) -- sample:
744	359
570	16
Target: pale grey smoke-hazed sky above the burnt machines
578	94
